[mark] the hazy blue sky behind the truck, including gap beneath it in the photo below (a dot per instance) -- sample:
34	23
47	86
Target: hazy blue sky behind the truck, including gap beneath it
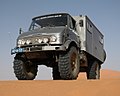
15	14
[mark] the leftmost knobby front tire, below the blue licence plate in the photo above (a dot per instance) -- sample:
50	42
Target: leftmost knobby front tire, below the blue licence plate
24	70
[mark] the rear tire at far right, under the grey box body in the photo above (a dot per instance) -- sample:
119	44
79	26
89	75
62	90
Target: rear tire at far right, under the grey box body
93	71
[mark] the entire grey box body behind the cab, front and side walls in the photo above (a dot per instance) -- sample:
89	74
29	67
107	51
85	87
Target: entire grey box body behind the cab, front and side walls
91	38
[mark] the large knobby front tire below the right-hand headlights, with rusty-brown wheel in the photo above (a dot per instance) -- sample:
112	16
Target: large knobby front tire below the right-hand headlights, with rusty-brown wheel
69	64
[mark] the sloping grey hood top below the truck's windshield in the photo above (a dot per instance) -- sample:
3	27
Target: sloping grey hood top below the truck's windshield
42	31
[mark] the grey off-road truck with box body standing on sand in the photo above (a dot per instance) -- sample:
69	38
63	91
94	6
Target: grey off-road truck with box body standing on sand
68	44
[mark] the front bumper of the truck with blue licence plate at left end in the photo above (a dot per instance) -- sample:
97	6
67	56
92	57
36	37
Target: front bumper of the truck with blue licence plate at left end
38	48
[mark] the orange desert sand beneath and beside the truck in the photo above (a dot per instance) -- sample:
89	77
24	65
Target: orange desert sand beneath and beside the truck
108	85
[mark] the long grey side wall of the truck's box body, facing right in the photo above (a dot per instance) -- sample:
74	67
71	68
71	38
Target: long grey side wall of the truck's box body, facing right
94	39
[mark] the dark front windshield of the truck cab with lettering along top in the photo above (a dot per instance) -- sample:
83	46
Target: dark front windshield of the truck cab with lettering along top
49	21
